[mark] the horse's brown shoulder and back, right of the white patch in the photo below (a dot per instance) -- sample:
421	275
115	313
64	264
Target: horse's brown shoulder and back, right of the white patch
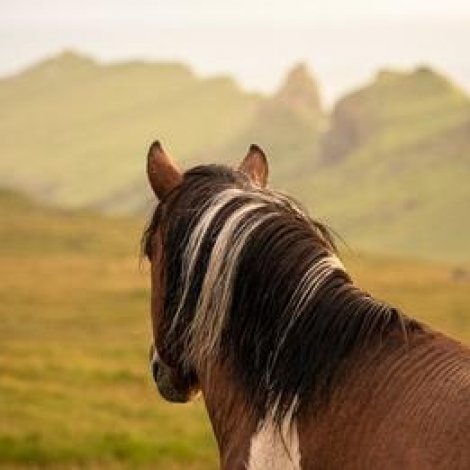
404	407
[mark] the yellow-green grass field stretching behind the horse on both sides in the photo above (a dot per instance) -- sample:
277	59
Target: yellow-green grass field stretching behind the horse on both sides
74	335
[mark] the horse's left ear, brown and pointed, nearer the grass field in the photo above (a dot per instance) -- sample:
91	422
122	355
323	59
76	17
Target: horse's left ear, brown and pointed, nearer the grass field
162	173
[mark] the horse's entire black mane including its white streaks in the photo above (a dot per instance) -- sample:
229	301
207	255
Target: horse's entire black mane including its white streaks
251	279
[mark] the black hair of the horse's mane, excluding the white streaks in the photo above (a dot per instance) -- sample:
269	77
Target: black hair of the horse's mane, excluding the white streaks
284	365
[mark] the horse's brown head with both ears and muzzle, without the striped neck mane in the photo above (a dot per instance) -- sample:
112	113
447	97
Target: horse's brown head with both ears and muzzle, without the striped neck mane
176	376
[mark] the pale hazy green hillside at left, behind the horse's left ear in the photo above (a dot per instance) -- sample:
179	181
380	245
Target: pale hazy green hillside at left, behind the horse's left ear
74	132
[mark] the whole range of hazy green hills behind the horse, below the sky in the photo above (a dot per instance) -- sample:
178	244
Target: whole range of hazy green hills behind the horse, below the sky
388	168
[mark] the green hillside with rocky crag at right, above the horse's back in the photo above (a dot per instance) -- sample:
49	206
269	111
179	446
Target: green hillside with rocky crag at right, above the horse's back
394	169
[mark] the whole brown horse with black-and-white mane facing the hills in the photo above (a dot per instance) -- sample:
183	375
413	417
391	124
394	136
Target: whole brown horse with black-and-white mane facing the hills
298	367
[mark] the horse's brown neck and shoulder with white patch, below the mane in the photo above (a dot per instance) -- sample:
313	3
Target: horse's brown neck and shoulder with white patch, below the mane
384	399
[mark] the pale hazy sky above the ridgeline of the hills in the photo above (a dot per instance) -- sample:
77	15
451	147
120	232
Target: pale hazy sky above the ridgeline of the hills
343	41
